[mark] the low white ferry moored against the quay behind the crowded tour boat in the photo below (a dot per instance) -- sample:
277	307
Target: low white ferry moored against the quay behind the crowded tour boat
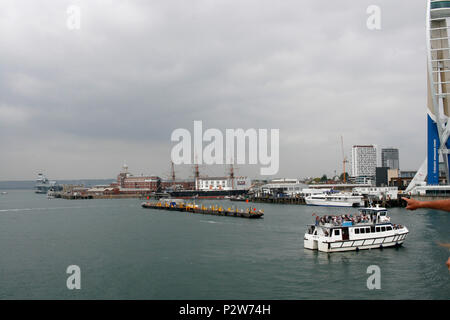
335	200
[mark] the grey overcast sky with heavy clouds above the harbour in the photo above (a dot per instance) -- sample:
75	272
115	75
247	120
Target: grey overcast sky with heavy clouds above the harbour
78	103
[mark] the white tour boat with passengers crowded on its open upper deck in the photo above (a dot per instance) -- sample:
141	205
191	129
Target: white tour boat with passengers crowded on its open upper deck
369	229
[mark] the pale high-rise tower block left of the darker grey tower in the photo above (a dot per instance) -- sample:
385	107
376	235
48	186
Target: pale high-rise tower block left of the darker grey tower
364	162
